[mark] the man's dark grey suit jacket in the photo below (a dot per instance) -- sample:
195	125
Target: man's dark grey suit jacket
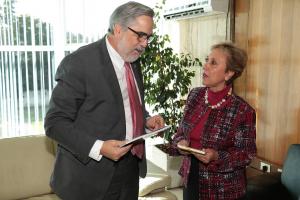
86	105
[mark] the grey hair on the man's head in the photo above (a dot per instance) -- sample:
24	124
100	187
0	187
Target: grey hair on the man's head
127	13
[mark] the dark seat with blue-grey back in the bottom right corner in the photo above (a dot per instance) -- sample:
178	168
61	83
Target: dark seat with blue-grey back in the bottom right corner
285	185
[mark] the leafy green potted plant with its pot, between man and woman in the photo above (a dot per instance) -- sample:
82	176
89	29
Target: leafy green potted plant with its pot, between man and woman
167	77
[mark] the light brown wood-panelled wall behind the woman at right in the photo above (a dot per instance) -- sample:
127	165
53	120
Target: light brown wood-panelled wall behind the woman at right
270	30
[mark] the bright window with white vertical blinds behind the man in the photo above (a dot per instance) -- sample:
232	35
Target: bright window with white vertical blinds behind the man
34	36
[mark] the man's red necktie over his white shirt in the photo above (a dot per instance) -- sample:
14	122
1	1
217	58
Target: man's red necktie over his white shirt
136	111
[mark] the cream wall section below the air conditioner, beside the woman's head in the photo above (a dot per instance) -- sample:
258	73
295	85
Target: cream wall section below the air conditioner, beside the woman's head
198	34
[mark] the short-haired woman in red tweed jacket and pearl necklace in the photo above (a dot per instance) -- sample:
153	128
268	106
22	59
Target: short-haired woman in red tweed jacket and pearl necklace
222	125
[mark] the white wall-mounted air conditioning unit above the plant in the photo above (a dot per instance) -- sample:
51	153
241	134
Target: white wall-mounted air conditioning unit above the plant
182	9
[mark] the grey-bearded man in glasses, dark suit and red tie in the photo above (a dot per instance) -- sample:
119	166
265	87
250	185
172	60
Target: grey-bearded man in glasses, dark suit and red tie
96	105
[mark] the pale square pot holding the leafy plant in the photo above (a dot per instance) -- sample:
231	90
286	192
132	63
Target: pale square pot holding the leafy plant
169	164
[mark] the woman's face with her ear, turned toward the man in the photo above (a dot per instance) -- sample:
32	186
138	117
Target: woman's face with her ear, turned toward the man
214	75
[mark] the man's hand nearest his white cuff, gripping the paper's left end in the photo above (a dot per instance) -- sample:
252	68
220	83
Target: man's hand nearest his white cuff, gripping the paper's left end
112	150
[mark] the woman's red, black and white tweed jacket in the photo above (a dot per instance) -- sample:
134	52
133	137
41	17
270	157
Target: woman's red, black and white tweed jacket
231	131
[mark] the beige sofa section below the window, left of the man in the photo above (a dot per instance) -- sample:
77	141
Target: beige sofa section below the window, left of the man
26	166
